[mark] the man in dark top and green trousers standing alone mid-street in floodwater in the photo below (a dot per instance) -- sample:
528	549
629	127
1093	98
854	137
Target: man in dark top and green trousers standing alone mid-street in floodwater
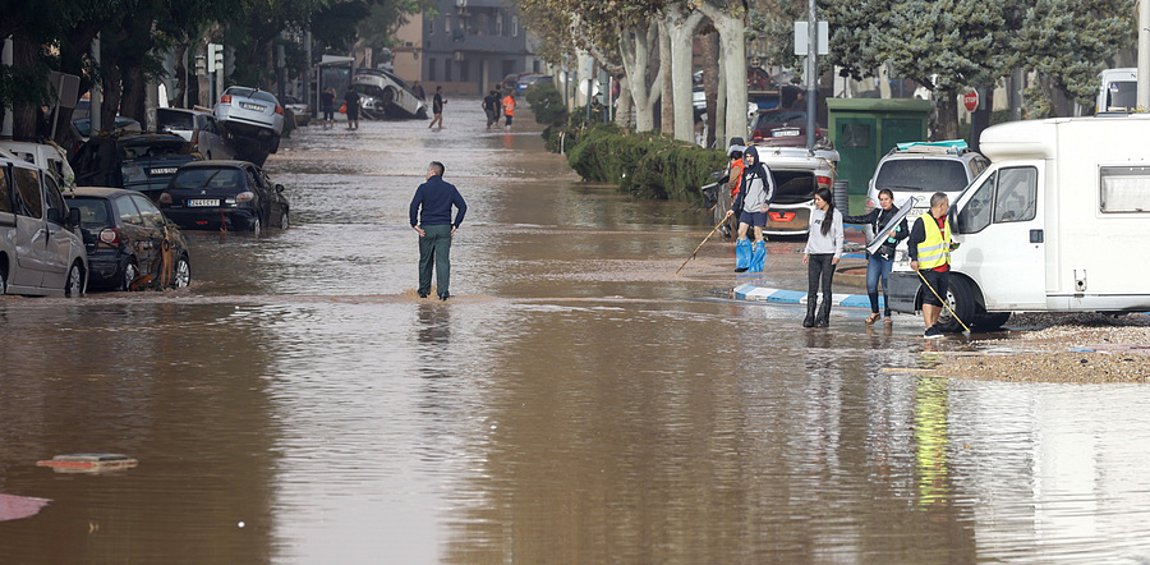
431	216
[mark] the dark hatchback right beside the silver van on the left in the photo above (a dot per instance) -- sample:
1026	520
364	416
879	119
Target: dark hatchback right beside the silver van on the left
131	245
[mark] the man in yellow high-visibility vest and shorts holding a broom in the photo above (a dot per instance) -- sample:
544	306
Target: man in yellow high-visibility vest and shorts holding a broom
930	247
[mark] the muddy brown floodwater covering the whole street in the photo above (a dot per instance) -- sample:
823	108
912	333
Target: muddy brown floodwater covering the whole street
576	402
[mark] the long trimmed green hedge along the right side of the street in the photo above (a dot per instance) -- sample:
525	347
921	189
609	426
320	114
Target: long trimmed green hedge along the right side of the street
647	166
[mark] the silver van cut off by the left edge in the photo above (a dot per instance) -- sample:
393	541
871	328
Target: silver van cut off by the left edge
41	249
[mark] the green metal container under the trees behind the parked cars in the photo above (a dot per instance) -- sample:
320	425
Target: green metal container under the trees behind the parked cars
865	129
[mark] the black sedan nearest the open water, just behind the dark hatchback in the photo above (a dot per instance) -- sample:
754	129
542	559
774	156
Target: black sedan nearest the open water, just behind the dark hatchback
225	195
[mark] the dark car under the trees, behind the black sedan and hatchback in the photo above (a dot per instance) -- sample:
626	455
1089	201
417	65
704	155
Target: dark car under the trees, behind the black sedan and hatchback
142	162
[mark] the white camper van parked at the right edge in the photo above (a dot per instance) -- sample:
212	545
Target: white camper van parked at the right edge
1056	224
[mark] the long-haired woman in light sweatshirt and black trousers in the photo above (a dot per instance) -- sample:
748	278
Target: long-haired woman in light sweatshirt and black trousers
824	249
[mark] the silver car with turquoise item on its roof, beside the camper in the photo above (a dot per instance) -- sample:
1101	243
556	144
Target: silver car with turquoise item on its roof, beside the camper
921	170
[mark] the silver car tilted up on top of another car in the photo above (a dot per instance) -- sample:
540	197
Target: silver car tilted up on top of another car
255	121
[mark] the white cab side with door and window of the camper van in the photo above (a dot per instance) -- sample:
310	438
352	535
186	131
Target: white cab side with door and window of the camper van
1001	228
